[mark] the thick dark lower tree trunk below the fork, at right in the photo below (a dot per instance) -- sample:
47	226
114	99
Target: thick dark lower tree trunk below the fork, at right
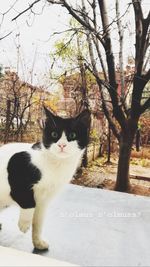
125	148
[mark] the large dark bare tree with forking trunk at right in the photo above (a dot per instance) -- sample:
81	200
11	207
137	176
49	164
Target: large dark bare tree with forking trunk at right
116	111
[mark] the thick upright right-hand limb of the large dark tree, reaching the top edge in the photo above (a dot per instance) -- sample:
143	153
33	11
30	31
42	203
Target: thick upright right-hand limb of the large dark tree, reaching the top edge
142	42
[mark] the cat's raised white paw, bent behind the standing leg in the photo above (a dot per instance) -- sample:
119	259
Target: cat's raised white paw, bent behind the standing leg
25	219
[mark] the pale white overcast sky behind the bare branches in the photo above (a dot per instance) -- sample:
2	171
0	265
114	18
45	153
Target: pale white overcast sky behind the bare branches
35	42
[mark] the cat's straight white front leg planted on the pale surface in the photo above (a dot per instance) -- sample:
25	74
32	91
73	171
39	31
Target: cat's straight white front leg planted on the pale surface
37	224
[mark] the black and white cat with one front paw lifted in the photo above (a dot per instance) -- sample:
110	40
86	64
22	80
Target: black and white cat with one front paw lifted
32	174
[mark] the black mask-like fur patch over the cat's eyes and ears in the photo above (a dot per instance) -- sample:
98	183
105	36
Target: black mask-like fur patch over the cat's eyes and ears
79	126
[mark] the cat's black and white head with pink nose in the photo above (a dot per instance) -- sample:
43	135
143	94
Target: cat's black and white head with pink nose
65	137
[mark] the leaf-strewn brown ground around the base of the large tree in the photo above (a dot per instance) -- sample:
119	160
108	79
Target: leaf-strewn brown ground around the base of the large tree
100	174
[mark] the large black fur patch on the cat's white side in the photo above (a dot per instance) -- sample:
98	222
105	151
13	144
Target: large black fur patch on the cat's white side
22	175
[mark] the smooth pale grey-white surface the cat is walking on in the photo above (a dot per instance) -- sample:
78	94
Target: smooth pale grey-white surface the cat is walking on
89	227
